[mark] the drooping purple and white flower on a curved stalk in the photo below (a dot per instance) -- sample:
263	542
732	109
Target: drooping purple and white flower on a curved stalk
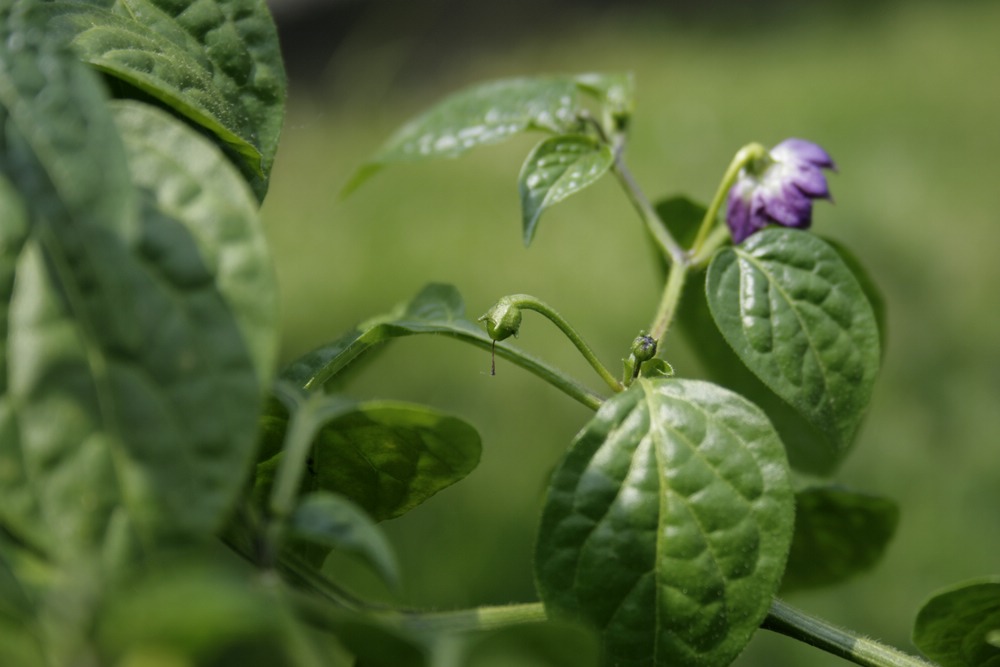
778	188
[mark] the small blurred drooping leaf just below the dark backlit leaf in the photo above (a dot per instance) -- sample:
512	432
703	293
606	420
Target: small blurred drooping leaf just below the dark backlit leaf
330	521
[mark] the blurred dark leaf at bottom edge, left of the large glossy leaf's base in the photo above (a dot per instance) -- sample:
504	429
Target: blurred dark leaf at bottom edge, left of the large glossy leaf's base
549	644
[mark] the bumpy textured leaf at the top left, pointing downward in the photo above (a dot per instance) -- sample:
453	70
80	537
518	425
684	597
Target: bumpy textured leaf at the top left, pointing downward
216	62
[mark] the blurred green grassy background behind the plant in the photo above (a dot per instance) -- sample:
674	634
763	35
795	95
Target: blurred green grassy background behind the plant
904	95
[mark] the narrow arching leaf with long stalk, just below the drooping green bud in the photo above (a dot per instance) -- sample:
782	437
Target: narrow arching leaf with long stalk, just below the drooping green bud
436	309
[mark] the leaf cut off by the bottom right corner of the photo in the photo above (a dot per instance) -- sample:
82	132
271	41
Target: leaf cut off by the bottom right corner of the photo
958	626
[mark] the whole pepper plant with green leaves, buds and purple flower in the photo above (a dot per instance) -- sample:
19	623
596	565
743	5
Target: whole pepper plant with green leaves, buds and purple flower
169	496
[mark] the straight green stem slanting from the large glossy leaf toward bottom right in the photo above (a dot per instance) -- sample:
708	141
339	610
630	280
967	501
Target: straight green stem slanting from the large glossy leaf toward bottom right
785	619
